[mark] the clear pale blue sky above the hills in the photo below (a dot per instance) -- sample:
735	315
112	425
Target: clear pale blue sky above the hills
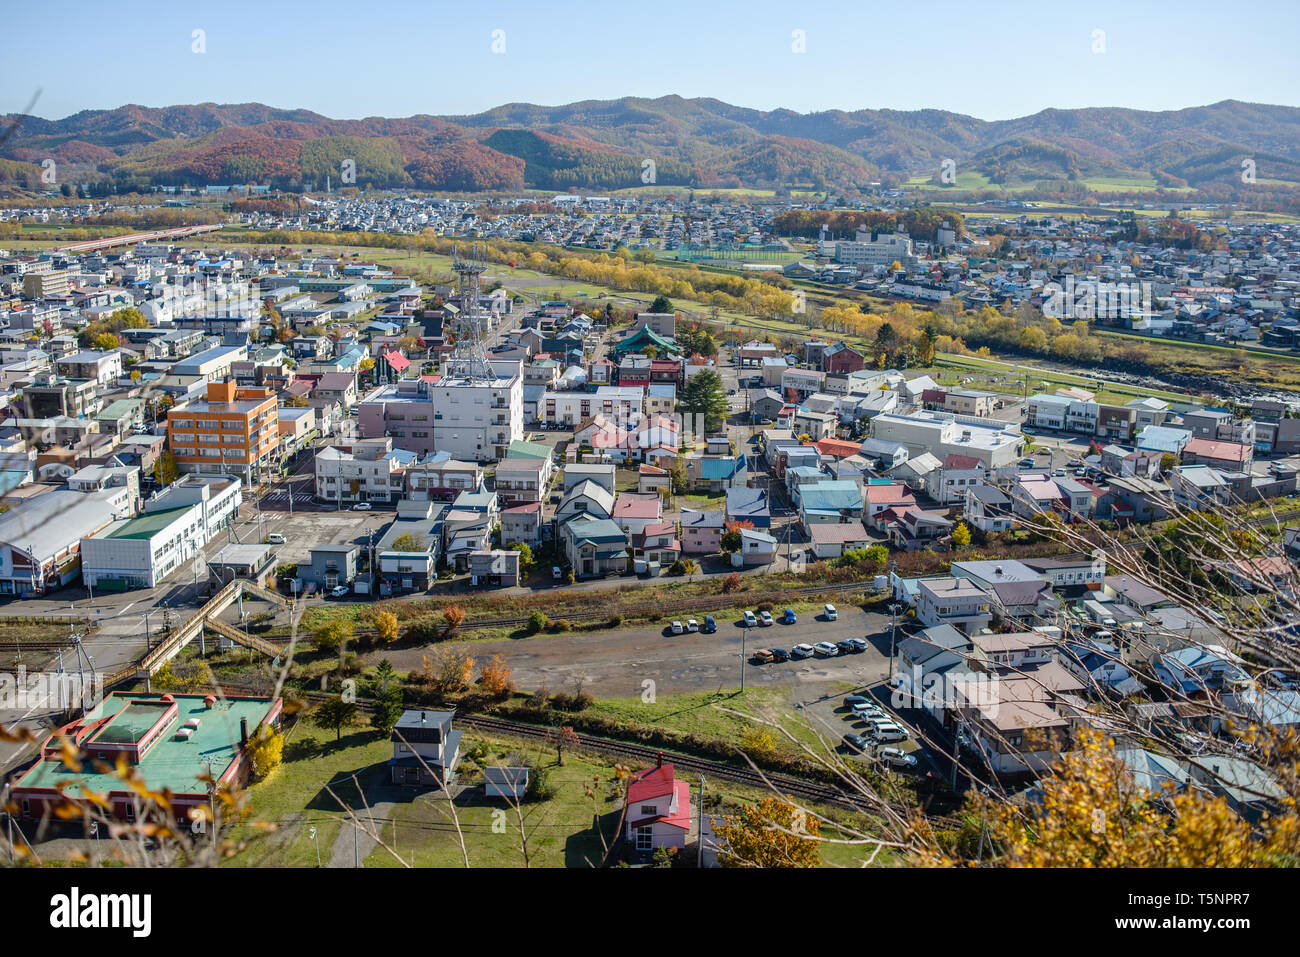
353	59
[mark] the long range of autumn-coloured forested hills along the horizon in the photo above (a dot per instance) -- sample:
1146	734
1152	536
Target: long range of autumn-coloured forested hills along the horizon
604	145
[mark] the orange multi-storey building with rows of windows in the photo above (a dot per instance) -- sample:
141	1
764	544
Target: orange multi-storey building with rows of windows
235	432
